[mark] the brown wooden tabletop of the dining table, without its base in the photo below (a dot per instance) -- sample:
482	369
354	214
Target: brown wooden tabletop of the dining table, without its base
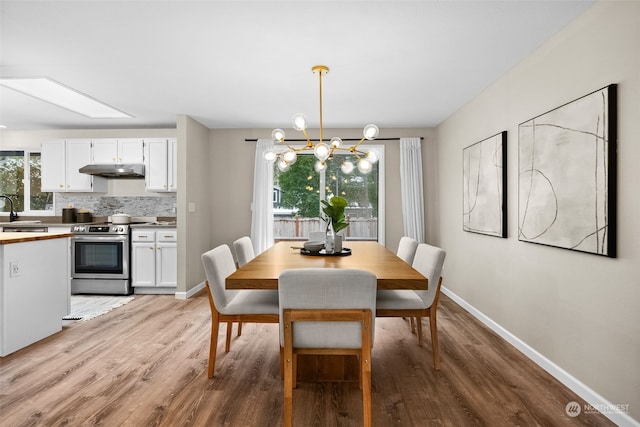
263	271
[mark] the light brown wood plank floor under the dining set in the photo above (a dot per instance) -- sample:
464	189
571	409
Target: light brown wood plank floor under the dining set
144	364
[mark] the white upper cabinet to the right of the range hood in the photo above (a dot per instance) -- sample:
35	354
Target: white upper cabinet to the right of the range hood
161	172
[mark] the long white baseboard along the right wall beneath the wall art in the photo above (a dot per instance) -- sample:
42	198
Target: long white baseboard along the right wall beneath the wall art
590	396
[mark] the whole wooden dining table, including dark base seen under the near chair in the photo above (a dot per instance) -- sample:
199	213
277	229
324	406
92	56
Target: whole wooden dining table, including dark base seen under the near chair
391	271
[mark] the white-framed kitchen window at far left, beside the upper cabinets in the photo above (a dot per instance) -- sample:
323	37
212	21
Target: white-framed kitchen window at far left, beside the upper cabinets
20	180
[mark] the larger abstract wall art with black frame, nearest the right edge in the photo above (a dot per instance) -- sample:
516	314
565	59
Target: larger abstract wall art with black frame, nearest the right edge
567	175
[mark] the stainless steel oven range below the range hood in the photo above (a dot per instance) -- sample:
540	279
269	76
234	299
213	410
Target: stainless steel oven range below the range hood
100	259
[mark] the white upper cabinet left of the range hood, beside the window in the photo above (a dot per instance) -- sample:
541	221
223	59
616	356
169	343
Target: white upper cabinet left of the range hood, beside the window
61	160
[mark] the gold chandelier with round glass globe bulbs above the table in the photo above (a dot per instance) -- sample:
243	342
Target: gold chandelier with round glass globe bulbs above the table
322	150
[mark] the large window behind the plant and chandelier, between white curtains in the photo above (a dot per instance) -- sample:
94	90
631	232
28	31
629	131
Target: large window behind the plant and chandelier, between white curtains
301	188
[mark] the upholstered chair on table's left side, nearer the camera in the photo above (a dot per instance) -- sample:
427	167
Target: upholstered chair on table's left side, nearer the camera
248	306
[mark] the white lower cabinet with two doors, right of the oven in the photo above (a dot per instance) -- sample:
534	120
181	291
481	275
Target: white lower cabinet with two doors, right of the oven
154	259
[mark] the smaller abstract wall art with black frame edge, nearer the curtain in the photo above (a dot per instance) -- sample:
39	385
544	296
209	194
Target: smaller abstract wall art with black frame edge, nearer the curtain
484	187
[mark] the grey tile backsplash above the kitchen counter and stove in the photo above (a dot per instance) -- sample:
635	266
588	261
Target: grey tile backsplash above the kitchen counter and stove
107	205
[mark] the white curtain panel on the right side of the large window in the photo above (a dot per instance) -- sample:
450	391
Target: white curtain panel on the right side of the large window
411	188
